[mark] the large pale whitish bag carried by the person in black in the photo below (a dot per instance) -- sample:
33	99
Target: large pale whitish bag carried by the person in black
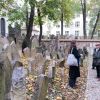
71	60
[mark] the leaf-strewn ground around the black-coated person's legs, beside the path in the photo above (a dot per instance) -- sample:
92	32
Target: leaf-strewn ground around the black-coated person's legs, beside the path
60	88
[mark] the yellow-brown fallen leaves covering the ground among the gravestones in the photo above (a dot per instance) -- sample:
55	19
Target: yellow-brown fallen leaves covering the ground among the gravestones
58	89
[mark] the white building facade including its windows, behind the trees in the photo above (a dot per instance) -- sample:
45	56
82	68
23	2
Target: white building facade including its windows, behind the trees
75	27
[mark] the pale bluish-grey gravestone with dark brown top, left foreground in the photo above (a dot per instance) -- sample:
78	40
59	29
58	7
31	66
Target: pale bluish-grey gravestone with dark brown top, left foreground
18	88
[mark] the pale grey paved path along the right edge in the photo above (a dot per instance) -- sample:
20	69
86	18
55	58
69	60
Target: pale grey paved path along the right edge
93	85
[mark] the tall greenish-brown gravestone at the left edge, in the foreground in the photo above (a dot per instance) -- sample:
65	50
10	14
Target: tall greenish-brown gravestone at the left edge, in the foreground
5	76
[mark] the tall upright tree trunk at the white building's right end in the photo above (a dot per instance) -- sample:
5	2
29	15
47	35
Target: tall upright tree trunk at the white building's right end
83	4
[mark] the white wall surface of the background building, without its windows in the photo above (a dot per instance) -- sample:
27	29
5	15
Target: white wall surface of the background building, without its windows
49	26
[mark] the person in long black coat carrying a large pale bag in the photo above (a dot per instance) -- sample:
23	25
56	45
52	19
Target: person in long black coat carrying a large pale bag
74	71
